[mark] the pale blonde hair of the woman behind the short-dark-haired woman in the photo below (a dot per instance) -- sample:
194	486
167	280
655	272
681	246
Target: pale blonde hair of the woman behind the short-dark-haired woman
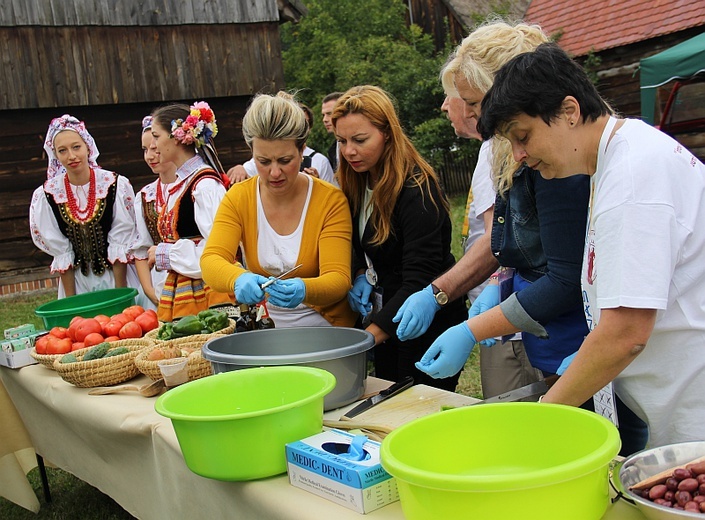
478	58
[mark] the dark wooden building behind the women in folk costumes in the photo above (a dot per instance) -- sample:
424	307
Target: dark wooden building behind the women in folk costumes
110	64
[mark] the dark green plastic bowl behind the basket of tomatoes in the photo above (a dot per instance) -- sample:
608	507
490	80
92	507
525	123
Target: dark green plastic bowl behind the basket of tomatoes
59	313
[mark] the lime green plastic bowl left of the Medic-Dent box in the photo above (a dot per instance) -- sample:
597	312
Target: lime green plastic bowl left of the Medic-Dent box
235	425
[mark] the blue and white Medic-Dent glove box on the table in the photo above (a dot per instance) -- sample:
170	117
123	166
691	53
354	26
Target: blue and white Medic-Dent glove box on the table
363	486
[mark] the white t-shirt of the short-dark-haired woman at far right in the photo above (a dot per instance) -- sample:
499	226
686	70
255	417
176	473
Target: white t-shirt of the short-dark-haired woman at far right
645	248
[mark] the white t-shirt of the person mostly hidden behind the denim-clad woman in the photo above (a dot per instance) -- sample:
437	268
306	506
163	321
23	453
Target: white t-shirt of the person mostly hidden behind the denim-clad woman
483	195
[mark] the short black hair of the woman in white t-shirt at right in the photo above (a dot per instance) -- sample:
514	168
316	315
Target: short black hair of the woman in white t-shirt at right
536	83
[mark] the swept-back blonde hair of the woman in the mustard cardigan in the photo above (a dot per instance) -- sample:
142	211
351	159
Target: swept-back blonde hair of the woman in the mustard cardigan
275	118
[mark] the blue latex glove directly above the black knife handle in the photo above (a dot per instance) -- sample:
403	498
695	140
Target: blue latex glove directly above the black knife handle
448	354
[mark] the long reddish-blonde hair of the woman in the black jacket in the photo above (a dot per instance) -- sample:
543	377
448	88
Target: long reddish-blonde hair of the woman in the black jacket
400	161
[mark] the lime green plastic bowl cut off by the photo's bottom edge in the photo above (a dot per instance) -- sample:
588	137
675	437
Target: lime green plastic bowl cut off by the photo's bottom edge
503	461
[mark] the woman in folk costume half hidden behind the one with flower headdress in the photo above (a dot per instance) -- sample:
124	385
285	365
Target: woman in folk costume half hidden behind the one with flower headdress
148	204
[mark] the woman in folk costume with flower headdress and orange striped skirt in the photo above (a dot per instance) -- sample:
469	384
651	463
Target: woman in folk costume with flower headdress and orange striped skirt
184	135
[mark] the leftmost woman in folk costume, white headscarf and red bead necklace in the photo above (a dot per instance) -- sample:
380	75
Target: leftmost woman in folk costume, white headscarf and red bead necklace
83	216
